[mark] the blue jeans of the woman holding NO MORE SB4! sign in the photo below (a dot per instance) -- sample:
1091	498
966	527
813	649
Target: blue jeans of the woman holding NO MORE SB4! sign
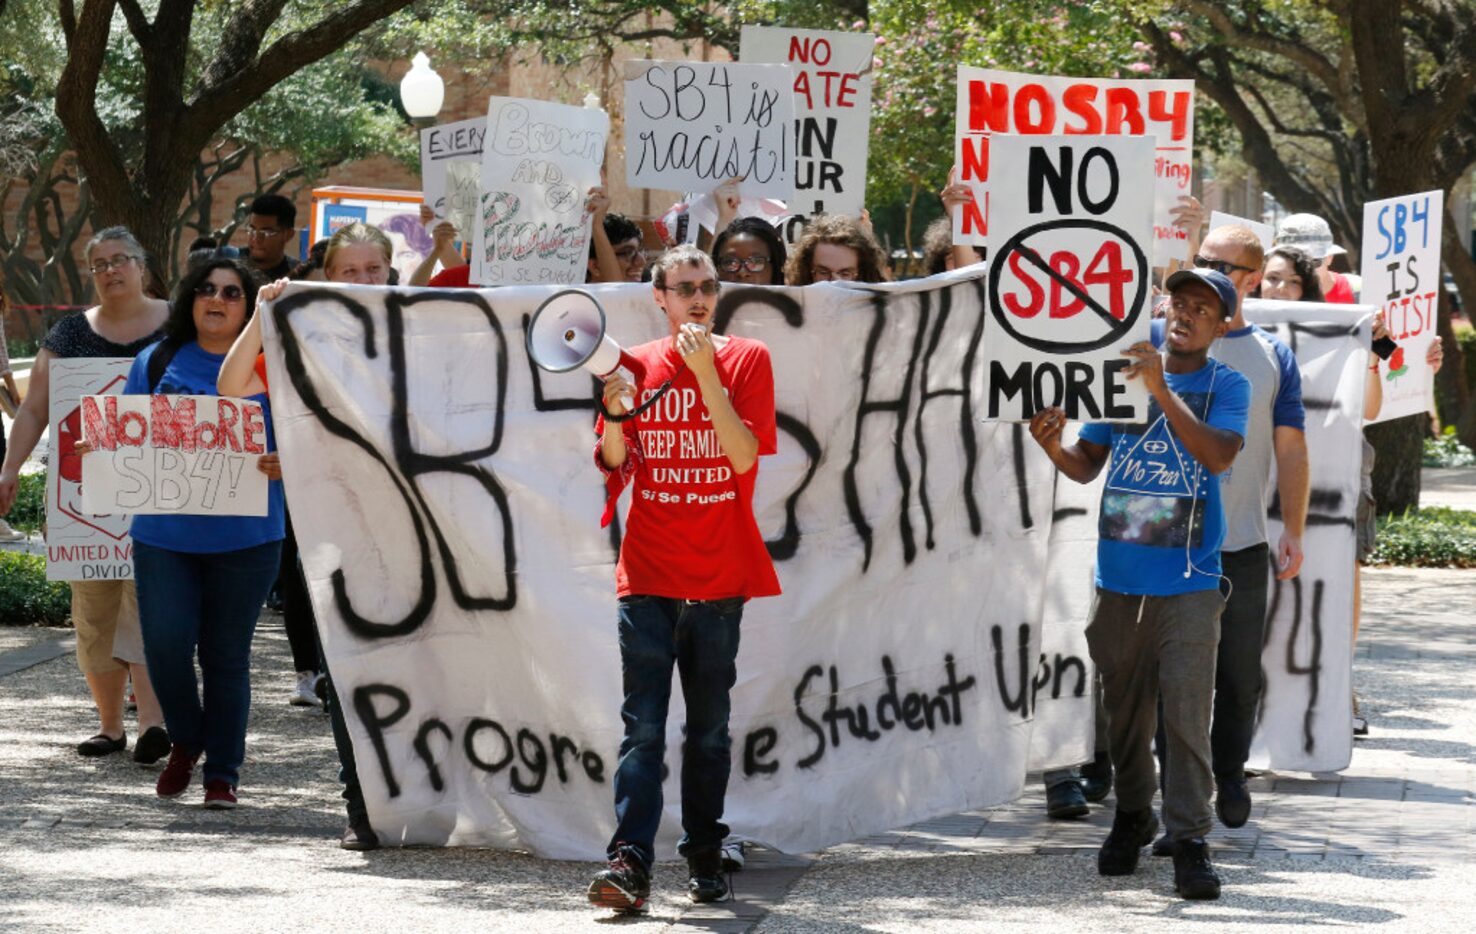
206	603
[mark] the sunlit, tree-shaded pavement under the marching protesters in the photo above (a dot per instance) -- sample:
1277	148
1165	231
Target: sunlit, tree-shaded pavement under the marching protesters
85	846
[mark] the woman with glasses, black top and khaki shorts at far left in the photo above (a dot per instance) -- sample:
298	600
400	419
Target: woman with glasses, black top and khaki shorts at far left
106	613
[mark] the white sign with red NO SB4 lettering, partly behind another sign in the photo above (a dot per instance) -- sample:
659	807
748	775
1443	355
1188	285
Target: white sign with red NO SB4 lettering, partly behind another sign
1000	103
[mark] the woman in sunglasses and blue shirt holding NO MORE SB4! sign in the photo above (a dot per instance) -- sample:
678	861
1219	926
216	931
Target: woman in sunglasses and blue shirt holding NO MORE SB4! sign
203	578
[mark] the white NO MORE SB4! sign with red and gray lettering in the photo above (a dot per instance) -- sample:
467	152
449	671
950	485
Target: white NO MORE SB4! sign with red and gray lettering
173	455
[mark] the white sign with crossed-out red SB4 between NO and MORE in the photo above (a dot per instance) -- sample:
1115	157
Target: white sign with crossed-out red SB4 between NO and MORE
1069	277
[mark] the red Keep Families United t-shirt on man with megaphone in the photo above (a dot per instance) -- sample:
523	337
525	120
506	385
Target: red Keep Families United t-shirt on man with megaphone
692	533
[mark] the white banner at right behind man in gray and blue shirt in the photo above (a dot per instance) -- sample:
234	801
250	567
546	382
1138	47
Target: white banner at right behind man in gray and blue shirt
1307	712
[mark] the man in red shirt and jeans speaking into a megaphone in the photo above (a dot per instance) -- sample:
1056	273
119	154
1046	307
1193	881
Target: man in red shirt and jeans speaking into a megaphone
692	557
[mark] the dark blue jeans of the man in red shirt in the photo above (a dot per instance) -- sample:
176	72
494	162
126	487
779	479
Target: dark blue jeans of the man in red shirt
702	641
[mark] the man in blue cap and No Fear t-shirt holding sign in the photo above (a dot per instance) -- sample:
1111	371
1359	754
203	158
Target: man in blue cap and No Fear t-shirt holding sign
1156	623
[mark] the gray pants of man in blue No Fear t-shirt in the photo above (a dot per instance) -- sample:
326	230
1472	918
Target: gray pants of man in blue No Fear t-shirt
1152	647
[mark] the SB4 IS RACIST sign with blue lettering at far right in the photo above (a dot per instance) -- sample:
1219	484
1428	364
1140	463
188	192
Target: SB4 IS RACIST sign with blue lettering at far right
1401	269
